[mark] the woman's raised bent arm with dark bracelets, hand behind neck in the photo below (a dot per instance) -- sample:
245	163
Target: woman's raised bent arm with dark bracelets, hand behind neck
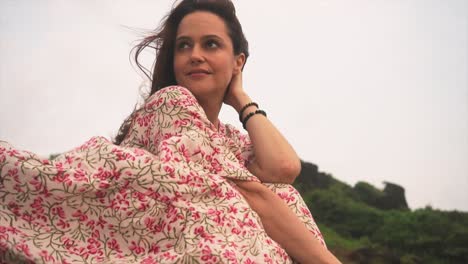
275	159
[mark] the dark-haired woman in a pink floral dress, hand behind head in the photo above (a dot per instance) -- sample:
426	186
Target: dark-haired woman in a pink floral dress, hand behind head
181	186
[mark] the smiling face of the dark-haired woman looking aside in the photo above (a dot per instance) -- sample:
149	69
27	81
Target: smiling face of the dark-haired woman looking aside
204	60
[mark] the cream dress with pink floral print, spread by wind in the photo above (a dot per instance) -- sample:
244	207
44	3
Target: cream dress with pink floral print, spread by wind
164	195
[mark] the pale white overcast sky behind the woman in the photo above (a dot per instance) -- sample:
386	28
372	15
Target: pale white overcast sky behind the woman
372	90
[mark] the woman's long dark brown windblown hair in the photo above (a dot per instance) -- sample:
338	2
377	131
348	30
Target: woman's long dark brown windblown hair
163	42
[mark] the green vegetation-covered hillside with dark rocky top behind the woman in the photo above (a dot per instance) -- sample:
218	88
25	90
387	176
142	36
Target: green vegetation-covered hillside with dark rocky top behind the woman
363	224
